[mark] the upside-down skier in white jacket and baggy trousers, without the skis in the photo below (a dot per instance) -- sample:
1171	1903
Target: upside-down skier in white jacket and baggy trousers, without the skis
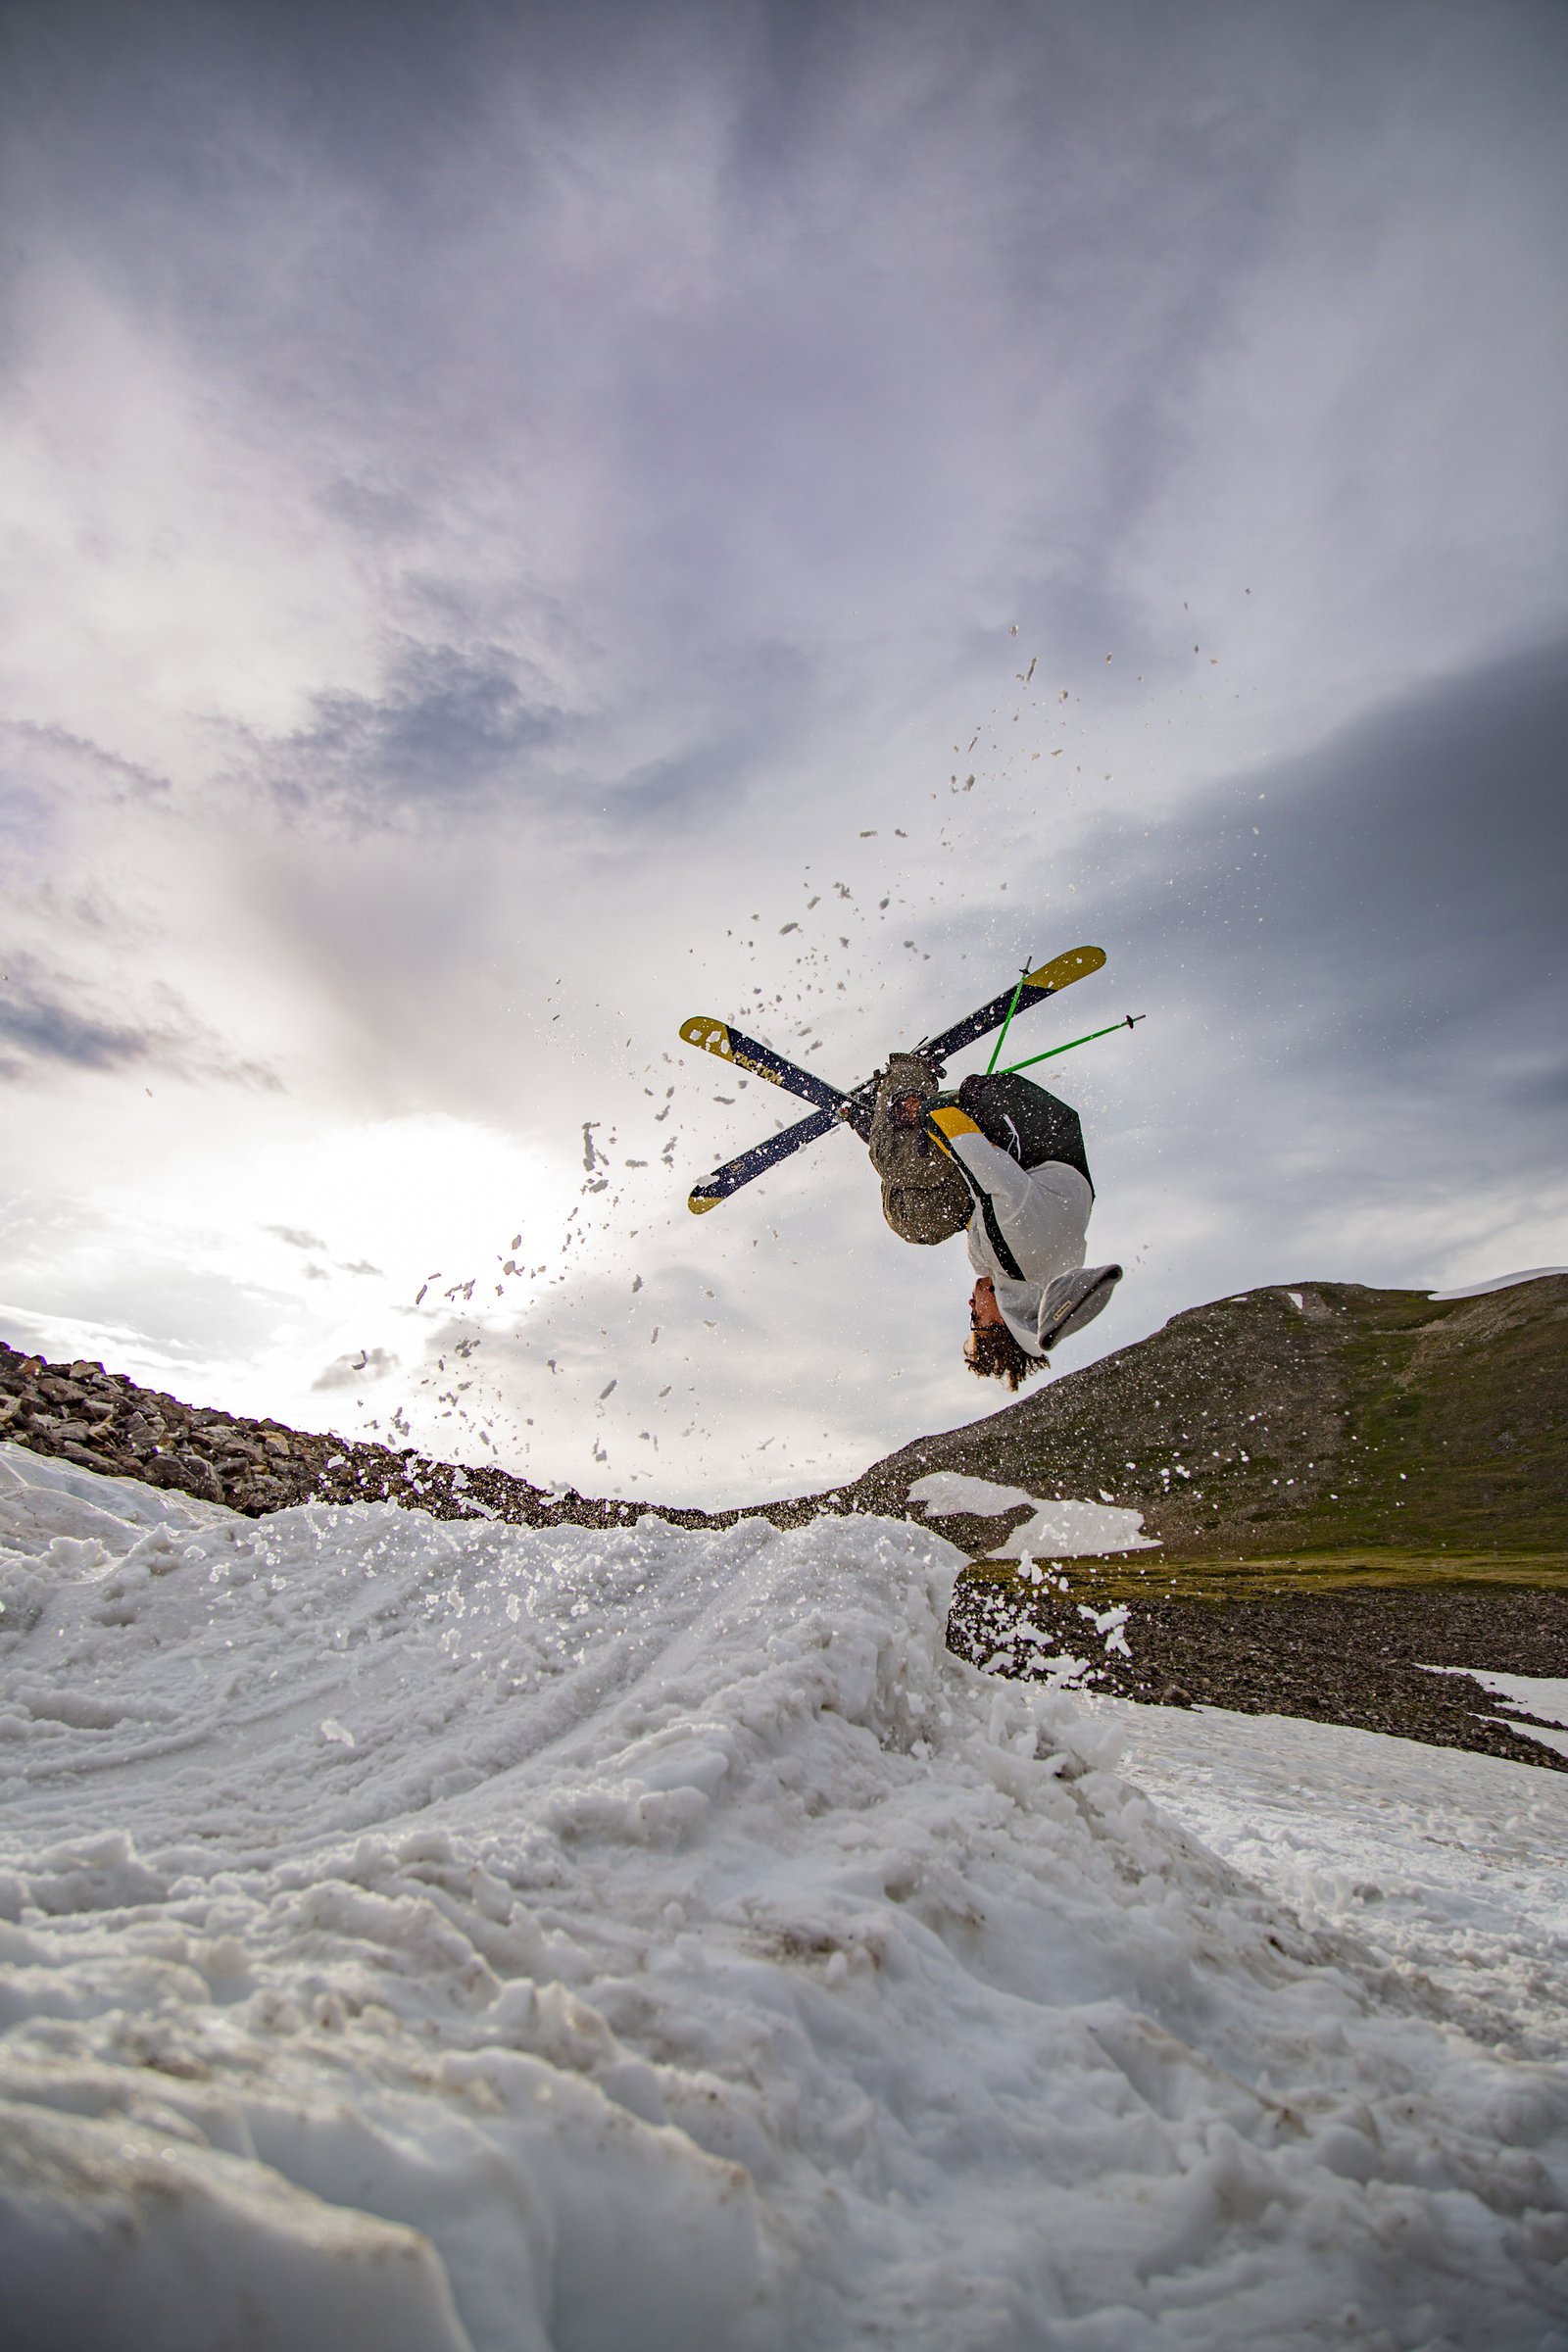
1005	1163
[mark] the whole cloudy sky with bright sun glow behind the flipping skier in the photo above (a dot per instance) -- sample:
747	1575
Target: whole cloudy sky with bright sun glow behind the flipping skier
530	523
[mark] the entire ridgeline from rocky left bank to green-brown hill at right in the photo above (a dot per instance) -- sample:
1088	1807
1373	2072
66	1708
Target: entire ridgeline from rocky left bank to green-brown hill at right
1245	1429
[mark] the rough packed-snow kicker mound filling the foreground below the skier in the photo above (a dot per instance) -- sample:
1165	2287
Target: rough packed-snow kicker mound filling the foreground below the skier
448	1935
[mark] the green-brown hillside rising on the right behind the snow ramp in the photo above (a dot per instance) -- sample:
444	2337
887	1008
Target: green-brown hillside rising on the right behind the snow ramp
1252	1429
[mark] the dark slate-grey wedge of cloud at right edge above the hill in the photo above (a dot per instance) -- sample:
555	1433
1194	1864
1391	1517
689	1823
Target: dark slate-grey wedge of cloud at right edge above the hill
1402	881
